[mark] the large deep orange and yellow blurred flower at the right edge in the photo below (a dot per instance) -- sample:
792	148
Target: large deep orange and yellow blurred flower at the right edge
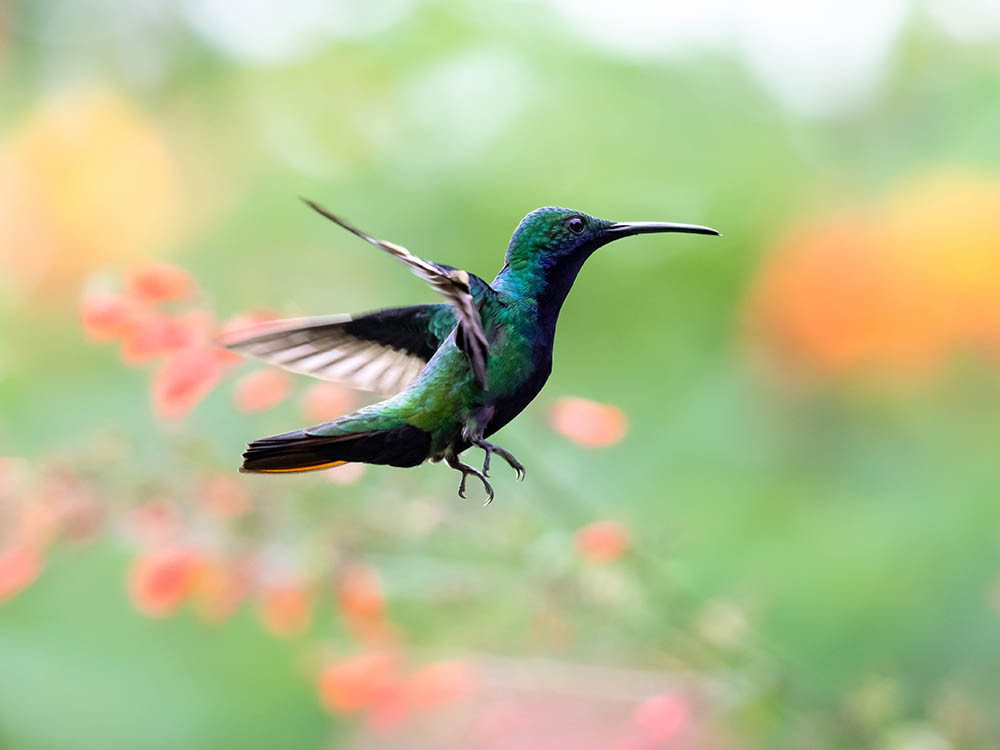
895	290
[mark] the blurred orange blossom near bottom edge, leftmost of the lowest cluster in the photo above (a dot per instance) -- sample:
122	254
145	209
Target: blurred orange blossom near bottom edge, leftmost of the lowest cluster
358	683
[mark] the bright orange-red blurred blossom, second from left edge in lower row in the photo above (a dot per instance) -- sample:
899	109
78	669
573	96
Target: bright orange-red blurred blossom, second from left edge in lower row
160	581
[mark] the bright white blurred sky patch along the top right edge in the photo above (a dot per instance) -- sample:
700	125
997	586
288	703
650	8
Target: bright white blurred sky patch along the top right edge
815	56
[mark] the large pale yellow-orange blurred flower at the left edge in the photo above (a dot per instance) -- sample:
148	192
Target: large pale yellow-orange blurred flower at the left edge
85	180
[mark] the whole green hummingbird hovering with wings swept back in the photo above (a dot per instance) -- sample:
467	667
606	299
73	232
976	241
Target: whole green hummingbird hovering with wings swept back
455	372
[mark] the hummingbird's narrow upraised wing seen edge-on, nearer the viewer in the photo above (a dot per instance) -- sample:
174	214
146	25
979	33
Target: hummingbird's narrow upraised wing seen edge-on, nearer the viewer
453	283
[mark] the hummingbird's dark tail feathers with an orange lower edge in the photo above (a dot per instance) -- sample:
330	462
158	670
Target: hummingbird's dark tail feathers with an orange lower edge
299	451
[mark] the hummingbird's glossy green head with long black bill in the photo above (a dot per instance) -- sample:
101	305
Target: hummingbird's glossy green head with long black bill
553	238
